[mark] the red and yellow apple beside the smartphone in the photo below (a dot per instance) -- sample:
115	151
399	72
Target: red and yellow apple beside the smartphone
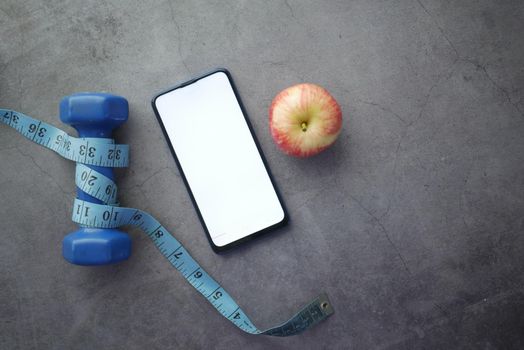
304	120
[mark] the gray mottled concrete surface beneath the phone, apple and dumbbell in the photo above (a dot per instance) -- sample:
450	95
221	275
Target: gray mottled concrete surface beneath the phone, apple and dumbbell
412	222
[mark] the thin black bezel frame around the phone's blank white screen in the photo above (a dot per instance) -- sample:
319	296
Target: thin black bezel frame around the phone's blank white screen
218	249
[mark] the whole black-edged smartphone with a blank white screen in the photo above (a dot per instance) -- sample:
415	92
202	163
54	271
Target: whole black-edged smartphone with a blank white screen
220	159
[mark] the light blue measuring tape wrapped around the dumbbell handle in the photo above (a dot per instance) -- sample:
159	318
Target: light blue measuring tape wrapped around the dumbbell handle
105	153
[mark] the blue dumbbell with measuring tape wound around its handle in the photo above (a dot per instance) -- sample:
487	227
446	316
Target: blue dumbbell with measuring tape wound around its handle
95	115
